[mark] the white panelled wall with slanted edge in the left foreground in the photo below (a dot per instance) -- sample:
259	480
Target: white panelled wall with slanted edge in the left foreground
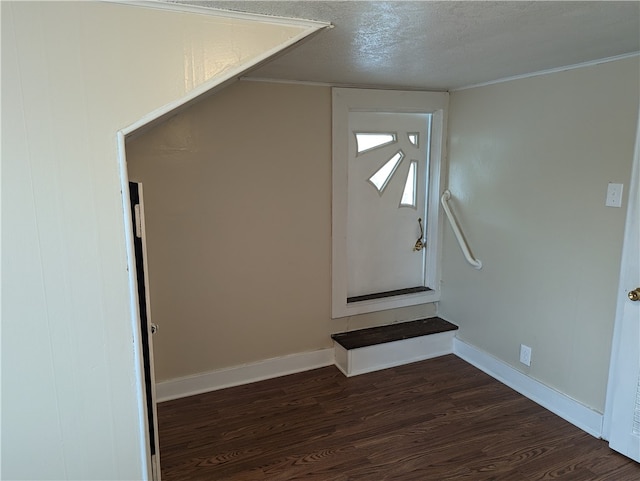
73	74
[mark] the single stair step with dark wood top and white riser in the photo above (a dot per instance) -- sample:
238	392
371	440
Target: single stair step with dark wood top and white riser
375	348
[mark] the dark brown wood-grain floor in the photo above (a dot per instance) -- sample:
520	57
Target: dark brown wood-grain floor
440	419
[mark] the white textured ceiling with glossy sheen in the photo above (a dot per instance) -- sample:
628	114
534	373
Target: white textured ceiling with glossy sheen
444	45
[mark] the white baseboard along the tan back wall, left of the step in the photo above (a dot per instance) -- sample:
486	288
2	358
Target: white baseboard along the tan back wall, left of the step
244	374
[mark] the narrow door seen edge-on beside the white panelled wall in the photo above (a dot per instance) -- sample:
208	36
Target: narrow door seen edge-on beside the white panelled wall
147	328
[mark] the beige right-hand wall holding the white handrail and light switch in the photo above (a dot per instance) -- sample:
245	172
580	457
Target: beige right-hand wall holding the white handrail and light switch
529	162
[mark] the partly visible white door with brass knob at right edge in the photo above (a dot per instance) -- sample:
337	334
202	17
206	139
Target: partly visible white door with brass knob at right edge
623	396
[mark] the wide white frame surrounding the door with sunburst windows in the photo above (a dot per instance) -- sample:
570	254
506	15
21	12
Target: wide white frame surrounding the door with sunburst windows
345	100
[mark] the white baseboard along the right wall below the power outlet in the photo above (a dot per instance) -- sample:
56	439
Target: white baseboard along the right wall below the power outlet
569	409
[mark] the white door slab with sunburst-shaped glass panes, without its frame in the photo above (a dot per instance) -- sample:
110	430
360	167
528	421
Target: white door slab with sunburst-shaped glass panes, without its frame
387	214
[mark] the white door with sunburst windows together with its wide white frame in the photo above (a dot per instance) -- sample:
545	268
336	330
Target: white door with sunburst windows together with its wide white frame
388	154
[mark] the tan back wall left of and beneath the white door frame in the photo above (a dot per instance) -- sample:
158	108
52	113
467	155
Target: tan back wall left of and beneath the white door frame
238	207
